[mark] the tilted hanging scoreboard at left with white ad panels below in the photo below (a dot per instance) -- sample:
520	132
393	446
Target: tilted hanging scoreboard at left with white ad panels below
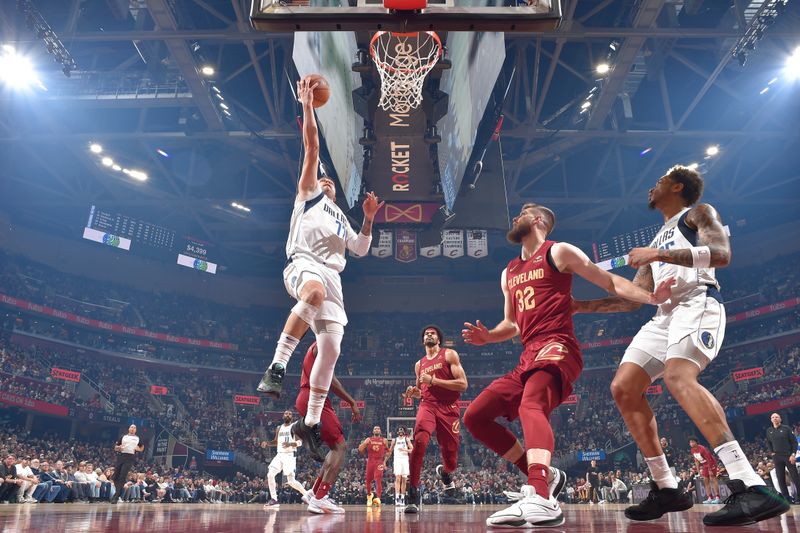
127	232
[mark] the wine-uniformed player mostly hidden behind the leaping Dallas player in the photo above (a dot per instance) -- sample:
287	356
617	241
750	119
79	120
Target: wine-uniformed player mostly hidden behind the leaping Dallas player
332	435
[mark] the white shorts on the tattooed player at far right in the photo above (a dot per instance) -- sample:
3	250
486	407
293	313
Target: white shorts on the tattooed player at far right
692	330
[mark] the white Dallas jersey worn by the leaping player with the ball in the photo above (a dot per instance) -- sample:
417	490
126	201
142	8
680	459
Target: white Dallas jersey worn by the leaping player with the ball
319	231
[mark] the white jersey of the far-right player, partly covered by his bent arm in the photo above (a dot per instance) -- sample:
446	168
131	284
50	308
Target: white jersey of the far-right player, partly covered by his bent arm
677	235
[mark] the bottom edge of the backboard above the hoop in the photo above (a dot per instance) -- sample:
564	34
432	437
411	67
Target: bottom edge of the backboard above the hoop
439	15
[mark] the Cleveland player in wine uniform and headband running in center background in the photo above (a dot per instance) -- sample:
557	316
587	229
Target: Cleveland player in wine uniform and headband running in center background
440	382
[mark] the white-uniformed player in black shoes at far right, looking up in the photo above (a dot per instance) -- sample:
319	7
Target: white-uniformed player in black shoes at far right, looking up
679	342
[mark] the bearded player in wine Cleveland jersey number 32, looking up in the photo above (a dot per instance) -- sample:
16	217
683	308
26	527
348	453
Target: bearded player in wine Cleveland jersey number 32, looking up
537	288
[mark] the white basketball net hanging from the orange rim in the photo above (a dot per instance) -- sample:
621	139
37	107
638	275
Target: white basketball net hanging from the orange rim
403	61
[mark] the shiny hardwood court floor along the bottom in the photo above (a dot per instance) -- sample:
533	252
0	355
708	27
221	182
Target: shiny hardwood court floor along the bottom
179	518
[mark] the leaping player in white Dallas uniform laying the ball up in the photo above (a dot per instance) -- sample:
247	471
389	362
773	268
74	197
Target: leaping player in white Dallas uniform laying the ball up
315	250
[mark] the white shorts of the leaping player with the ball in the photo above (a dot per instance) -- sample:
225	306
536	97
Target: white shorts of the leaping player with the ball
302	270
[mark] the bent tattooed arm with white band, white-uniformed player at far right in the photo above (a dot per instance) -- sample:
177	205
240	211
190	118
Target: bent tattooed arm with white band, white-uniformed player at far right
713	247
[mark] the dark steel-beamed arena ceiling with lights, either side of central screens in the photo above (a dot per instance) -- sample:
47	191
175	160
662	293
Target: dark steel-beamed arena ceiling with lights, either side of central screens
673	89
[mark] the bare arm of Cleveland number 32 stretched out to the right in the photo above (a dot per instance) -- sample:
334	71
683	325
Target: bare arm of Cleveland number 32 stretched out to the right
569	258
